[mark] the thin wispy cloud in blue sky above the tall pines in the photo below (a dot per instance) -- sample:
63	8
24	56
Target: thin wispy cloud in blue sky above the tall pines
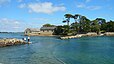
84	6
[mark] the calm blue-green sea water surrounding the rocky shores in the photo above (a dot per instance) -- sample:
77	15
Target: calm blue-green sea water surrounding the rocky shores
50	50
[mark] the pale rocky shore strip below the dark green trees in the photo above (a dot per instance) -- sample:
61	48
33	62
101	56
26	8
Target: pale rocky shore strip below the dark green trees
88	34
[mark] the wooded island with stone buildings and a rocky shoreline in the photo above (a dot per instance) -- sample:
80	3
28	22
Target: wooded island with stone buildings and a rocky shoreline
82	26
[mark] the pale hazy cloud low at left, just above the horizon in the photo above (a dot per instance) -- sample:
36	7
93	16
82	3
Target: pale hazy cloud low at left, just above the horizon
9	25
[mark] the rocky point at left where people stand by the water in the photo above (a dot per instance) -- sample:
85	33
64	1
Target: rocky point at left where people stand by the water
11	41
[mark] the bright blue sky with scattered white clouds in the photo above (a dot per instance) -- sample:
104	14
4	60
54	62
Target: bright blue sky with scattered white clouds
17	15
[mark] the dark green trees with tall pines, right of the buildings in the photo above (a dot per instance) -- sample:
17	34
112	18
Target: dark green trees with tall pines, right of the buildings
82	24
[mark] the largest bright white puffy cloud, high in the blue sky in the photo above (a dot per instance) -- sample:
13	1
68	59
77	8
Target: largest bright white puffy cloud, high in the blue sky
45	7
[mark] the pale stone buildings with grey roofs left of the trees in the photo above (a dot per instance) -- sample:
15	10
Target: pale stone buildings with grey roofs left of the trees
44	31
